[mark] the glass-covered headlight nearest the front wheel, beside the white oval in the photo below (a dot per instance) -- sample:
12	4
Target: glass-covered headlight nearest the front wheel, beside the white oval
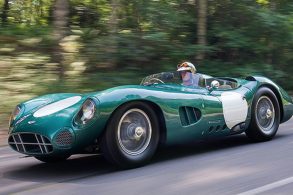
86	113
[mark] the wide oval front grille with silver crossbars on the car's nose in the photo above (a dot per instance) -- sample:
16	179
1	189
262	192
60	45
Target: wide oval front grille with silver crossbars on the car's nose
30	143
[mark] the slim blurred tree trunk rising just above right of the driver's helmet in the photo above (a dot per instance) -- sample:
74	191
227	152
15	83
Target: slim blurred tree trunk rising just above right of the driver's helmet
202	27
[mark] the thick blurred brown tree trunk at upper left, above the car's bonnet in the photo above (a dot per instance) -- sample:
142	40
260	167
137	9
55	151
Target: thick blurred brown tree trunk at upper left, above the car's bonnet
60	26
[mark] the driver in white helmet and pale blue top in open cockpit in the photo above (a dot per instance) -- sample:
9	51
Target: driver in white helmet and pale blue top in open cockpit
188	74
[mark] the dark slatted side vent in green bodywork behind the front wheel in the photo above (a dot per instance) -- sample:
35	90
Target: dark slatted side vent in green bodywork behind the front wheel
189	115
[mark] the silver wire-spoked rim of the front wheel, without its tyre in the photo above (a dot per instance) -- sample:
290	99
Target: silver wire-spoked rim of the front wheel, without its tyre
134	131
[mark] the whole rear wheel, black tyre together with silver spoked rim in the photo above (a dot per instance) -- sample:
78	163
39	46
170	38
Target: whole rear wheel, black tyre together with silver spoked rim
265	116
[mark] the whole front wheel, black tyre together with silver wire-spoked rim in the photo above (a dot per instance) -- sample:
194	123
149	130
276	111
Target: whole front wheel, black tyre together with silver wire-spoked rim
119	133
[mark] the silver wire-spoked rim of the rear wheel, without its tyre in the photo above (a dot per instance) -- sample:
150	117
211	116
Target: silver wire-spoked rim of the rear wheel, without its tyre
265	114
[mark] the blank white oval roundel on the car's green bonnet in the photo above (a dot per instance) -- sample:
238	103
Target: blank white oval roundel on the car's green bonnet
57	106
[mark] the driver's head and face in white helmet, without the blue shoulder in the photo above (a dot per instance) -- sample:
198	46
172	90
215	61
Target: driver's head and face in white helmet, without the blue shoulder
186	69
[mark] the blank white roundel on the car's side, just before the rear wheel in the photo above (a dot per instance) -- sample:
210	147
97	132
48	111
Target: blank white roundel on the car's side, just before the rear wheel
235	108
